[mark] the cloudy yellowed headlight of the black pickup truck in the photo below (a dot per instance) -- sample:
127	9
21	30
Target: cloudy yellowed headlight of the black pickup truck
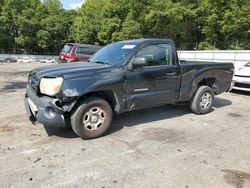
51	86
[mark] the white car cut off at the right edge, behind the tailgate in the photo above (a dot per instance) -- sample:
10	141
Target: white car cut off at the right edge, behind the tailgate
241	79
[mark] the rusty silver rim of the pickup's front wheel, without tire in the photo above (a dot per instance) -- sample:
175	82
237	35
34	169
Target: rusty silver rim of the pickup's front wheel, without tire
93	119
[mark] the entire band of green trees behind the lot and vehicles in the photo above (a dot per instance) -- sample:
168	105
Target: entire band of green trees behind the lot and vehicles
34	26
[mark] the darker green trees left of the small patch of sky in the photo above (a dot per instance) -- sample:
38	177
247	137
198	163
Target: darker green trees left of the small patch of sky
29	26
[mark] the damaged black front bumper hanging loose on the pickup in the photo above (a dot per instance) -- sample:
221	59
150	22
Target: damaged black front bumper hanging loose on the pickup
43	109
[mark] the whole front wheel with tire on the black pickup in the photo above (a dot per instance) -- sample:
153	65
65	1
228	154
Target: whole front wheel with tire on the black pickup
91	118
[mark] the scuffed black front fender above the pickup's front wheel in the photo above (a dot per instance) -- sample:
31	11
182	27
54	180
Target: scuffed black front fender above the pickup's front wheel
86	85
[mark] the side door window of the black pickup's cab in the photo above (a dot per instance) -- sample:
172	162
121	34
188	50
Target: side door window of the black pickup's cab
157	54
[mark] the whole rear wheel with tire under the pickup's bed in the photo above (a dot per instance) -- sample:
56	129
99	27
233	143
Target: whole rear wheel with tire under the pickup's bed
203	100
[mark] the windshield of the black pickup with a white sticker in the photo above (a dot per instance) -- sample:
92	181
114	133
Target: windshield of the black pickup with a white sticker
113	54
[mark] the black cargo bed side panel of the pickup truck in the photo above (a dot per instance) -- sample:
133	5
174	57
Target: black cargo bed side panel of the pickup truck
218	75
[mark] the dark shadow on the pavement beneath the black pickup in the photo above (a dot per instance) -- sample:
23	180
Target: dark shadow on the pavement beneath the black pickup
138	117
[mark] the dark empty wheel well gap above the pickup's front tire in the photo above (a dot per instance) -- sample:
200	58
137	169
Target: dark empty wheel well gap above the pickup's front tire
107	95
